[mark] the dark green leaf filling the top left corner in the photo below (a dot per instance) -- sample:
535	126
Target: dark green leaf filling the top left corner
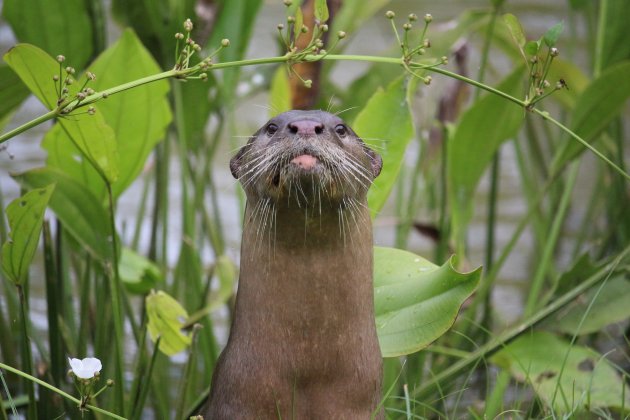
57	27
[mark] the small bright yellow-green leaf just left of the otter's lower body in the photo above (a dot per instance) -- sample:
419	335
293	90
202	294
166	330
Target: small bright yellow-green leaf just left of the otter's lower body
166	318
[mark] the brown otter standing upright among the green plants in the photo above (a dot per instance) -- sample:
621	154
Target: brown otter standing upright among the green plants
303	342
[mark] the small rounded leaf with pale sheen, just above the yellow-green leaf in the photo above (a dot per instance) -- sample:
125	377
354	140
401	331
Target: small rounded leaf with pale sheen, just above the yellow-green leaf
138	274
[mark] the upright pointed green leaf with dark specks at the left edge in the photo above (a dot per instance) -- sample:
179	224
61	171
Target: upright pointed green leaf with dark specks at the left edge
26	215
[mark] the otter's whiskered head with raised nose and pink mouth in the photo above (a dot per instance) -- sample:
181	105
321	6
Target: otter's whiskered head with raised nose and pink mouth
309	155
